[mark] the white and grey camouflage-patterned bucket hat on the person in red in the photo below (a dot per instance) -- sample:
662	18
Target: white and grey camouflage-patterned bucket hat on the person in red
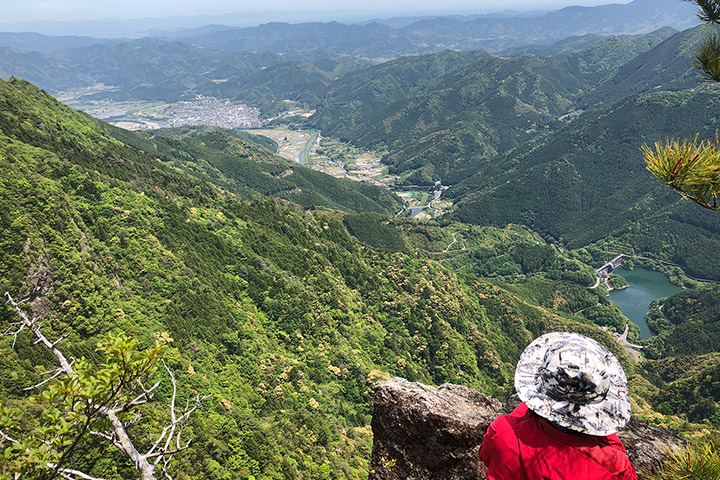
575	382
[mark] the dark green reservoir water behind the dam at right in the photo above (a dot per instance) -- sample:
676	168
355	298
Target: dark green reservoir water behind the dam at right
644	287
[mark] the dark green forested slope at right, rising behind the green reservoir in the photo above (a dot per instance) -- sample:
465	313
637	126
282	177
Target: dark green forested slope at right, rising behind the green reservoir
588	182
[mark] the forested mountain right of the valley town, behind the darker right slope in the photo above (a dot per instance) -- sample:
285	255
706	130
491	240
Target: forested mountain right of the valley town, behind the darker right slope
442	126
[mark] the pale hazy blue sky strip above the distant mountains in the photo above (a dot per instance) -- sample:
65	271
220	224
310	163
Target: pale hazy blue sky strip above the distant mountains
63	10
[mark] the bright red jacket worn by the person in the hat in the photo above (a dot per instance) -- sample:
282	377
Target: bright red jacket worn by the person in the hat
524	446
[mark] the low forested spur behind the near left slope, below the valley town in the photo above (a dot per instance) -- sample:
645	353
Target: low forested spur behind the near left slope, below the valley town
233	160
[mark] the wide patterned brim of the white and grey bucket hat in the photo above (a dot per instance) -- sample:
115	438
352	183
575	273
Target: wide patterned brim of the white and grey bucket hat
600	419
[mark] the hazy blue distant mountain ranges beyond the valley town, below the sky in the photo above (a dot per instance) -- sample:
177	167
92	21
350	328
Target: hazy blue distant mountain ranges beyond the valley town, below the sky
227	62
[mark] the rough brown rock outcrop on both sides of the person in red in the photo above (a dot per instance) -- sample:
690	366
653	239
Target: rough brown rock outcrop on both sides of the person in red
428	433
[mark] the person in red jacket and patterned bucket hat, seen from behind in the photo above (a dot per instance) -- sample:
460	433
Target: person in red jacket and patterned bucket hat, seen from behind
575	398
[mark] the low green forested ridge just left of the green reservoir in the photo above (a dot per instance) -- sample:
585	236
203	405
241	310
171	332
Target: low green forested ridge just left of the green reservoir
514	257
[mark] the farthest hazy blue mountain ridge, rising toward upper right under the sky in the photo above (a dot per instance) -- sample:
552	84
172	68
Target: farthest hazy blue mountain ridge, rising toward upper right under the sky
428	35
